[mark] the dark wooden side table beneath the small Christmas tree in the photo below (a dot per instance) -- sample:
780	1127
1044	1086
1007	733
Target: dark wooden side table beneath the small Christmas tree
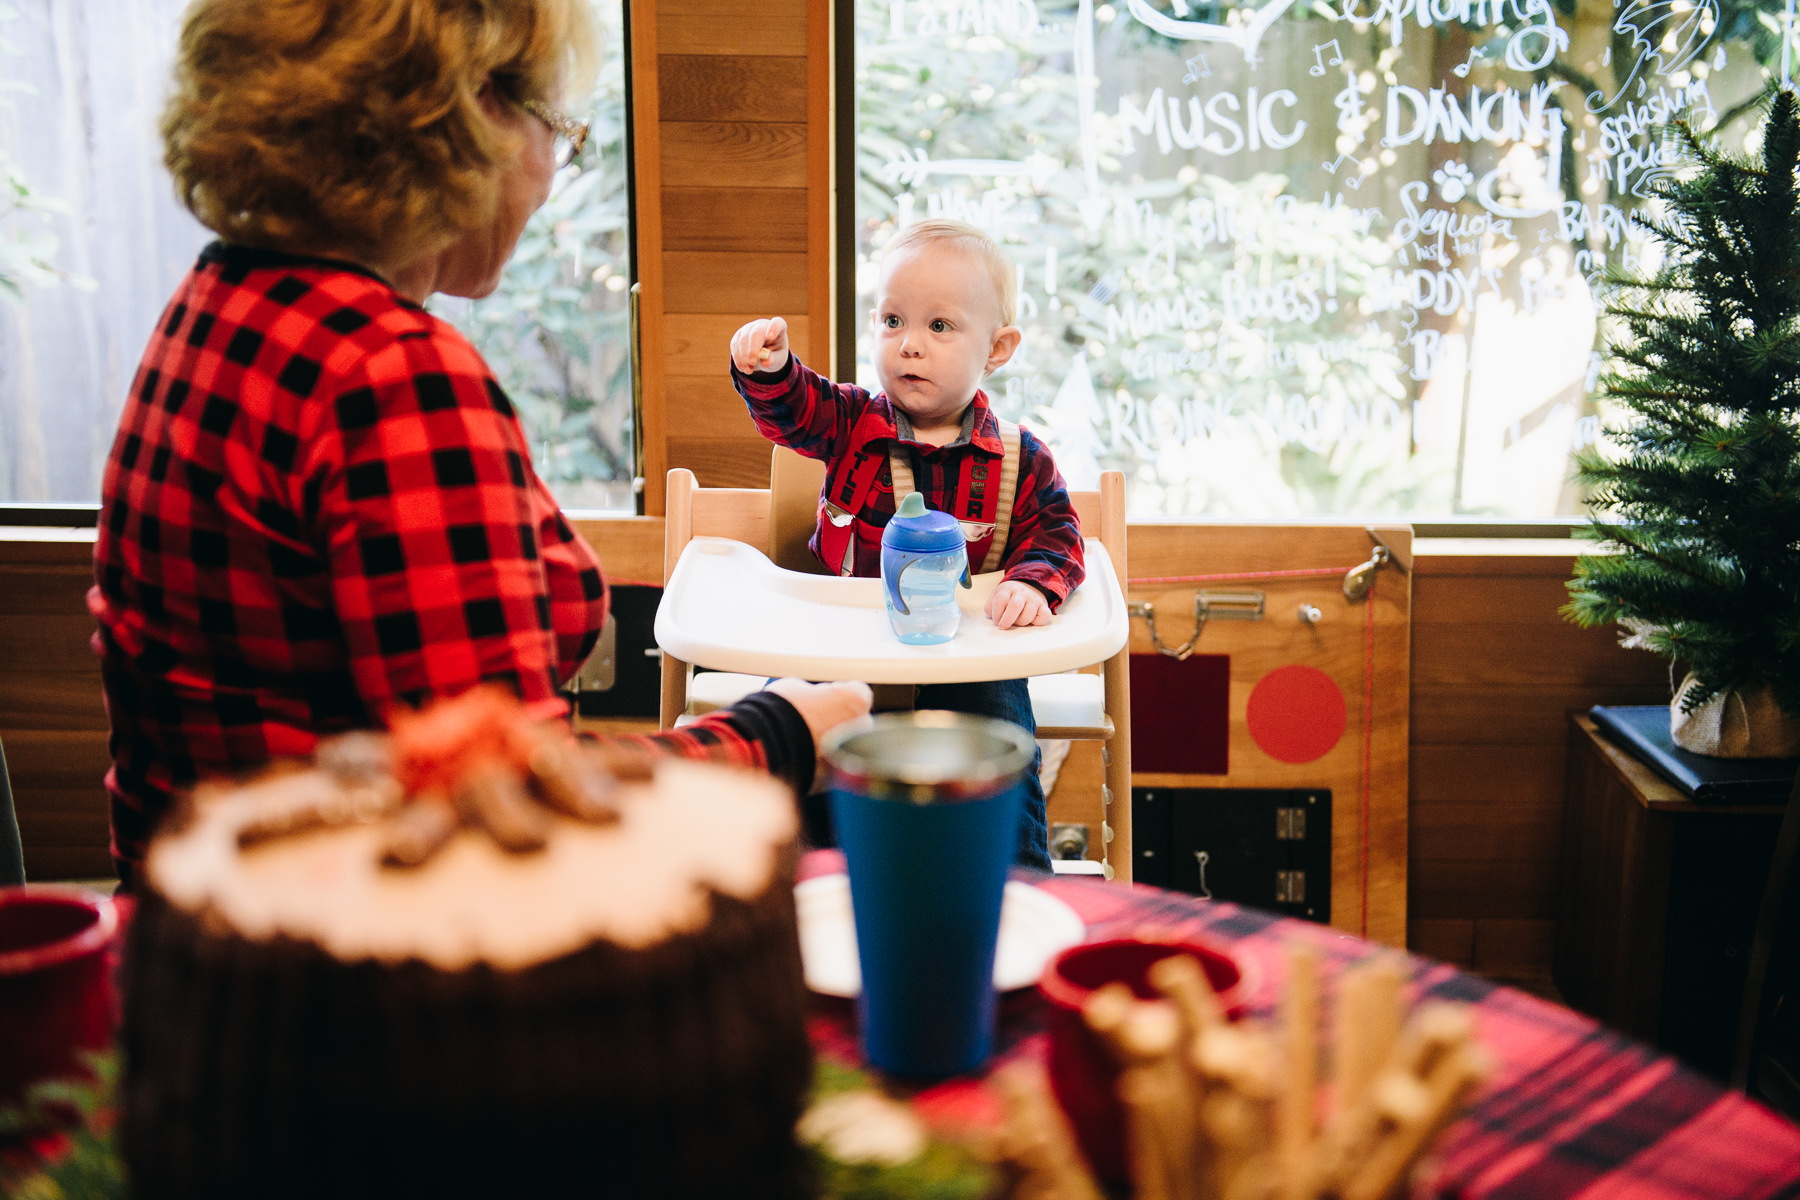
1659	902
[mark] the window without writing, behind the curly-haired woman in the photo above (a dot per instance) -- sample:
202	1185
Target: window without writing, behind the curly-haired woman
93	242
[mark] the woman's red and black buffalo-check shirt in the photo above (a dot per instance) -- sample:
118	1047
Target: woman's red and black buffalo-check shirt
321	505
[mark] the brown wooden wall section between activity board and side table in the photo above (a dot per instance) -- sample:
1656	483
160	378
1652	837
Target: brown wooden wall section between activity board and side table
1495	674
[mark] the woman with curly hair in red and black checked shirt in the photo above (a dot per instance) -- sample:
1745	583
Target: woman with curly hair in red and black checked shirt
319	503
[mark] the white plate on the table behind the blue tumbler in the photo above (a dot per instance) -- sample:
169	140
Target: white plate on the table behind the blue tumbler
1034	929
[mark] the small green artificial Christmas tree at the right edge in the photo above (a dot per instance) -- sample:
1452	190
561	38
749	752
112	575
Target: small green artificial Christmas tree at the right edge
1702	499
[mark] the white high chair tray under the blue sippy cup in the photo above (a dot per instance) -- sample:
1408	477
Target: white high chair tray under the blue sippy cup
730	609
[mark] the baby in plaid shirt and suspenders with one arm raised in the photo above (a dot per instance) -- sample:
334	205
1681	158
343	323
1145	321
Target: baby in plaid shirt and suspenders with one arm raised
944	321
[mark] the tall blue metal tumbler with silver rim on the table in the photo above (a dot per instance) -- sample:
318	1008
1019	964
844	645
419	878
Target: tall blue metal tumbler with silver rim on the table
928	812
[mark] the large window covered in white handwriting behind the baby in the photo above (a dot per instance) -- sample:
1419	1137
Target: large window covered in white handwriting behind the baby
1309	256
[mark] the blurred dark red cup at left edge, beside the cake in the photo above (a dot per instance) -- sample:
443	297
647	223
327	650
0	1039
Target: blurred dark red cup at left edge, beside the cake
57	996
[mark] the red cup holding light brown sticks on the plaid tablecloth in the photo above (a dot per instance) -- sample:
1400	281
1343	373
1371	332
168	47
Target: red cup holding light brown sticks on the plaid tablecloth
1083	1073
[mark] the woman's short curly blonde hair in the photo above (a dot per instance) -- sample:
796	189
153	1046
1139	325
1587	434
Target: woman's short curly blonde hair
355	125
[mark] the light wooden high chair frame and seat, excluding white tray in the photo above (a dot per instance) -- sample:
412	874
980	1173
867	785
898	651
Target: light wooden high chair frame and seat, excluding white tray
778	523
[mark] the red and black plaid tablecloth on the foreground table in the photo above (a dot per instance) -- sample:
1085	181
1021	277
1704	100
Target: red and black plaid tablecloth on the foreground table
1572	1109
